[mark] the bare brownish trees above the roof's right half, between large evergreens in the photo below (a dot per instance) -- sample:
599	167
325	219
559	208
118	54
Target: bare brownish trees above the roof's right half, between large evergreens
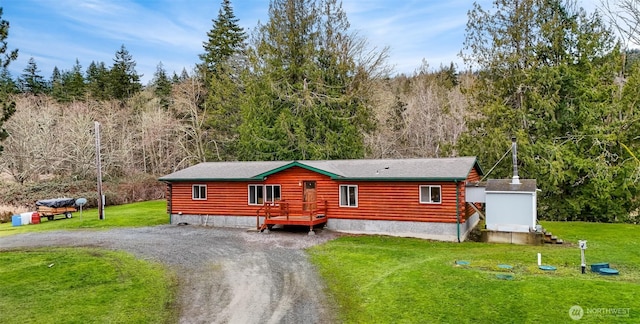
417	116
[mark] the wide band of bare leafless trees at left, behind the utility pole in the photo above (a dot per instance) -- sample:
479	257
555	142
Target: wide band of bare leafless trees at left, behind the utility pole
53	139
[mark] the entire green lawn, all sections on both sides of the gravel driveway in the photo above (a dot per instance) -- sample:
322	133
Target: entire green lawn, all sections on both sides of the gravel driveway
373	279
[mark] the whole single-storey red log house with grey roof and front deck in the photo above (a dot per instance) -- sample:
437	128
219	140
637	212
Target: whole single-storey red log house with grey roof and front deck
403	197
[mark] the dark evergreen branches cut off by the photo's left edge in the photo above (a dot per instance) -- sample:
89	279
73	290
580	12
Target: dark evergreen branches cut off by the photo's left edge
8	106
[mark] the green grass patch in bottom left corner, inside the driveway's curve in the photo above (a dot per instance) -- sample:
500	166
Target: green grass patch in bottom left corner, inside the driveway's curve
66	285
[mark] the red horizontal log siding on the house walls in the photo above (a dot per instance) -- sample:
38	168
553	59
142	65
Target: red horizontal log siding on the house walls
377	200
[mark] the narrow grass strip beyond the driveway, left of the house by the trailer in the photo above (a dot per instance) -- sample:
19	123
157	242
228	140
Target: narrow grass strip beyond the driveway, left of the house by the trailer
146	213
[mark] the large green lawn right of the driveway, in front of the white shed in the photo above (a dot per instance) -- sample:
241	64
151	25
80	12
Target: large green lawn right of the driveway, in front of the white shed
400	280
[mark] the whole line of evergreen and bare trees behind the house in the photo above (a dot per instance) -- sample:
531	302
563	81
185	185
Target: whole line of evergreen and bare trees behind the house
304	85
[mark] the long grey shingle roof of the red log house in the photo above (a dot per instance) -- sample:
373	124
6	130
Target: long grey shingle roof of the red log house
443	169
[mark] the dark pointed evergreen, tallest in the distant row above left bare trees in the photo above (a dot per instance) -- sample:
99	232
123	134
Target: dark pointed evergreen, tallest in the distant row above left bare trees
123	81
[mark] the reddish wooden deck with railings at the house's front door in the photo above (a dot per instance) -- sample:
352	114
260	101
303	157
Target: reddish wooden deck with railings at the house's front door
292	213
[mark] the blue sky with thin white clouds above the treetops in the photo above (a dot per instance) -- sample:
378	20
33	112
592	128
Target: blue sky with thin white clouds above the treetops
57	32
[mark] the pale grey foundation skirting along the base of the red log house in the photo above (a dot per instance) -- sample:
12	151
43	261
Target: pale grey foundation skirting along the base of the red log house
423	230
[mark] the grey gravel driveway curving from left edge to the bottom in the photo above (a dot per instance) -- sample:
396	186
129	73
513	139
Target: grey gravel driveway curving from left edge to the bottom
225	275
